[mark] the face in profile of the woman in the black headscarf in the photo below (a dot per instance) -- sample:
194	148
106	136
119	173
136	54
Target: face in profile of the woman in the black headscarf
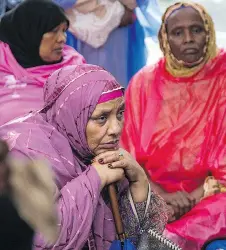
51	47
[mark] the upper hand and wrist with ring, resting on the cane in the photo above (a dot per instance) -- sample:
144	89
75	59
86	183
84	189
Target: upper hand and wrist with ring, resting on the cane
121	159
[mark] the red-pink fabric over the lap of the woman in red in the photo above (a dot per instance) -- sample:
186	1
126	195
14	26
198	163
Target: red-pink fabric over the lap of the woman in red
206	220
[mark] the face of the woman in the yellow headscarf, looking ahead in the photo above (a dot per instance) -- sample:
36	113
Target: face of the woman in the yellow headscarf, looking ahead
186	35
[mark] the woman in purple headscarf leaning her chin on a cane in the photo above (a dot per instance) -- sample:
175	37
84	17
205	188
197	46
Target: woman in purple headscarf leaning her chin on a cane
82	119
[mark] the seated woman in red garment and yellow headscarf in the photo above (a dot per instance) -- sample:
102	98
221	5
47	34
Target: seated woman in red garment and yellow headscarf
175	125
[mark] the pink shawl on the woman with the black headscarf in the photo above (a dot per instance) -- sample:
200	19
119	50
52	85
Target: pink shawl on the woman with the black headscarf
21	90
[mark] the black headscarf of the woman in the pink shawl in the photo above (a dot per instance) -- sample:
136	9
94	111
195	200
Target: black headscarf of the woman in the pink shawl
23	27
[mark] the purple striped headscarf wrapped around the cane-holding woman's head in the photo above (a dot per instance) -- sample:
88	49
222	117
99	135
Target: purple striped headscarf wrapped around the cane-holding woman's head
71	95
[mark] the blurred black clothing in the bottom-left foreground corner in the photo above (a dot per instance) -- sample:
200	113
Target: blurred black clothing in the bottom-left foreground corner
15	234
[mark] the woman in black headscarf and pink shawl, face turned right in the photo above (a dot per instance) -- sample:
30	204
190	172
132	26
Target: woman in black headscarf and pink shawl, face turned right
32	46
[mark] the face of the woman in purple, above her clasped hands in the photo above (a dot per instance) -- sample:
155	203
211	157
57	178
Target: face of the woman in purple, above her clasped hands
105	125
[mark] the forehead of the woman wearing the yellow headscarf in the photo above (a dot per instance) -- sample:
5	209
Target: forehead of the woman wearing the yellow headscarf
183	16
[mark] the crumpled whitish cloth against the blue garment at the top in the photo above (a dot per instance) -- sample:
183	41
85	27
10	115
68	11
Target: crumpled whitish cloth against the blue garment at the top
93	27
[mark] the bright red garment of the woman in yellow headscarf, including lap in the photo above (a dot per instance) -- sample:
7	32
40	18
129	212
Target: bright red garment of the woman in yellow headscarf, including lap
176	128
